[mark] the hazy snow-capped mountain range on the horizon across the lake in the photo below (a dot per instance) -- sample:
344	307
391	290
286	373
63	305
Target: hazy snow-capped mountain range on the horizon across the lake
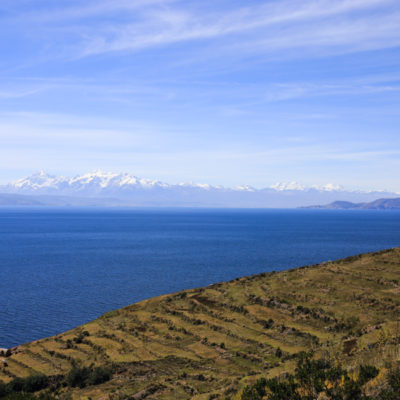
125	189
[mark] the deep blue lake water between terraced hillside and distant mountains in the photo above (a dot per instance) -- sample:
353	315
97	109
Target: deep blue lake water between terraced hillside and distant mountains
61	268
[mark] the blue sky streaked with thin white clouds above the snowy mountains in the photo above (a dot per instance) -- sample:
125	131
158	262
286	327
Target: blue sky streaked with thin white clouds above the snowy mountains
223	92
